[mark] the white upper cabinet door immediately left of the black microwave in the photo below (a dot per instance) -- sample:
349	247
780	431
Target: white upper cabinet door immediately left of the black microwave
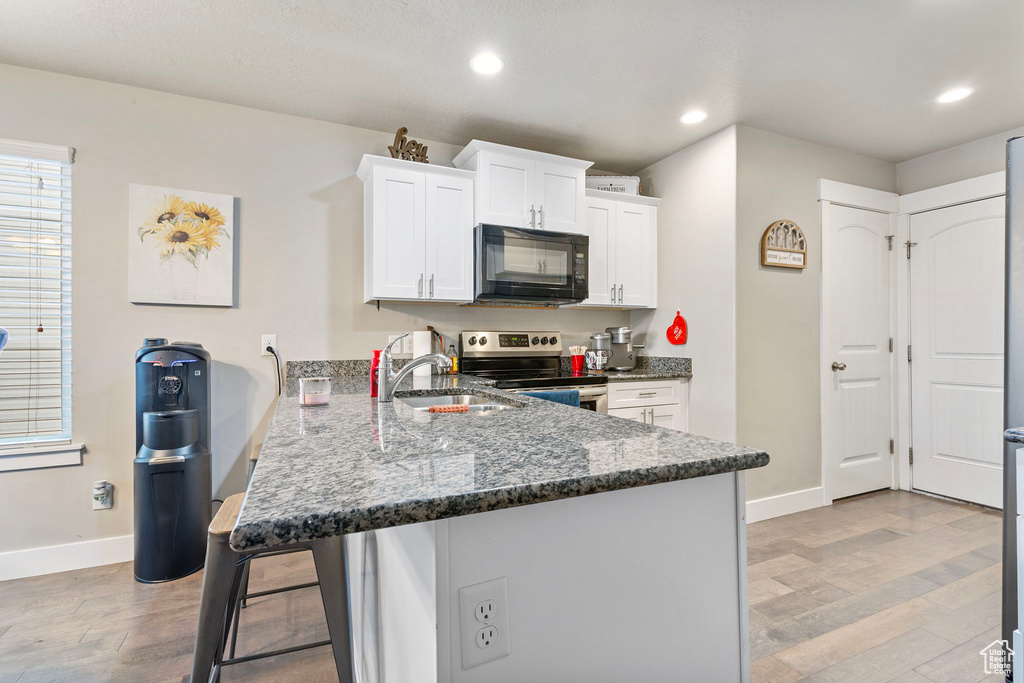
449	238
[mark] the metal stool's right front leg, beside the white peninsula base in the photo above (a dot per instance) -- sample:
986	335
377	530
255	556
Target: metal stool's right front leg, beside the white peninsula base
329	557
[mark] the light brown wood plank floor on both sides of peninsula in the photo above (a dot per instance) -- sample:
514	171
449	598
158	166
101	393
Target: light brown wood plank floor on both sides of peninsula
886	587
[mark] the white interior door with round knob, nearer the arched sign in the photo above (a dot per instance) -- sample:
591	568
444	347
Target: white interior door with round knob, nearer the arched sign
857	361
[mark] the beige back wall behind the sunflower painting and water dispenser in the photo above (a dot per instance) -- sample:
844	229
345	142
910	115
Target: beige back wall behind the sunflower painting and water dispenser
301	275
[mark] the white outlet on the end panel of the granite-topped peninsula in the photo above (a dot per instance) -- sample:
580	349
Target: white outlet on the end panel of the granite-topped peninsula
484	612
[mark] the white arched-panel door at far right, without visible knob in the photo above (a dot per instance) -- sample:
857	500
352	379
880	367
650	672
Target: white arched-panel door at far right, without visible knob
957	321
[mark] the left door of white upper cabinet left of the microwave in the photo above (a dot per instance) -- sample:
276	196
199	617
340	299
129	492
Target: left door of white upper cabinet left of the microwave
398	234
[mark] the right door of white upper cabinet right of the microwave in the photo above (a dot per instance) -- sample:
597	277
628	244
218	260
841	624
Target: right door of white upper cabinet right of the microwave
635	252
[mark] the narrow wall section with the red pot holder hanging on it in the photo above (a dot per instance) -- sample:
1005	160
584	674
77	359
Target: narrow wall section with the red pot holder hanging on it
697	247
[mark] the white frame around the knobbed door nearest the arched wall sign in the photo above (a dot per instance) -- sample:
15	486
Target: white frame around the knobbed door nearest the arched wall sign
855	197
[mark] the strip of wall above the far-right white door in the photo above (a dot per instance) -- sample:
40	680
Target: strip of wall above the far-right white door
965	161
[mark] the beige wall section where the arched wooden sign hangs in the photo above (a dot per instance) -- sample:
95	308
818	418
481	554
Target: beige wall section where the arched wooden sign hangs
778	310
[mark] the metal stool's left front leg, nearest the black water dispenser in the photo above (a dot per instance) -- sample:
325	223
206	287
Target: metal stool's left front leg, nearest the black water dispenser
219	579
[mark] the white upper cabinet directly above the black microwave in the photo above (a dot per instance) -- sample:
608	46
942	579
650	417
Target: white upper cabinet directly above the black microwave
525	189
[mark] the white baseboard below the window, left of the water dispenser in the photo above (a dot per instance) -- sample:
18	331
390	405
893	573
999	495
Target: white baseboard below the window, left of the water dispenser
37	562
